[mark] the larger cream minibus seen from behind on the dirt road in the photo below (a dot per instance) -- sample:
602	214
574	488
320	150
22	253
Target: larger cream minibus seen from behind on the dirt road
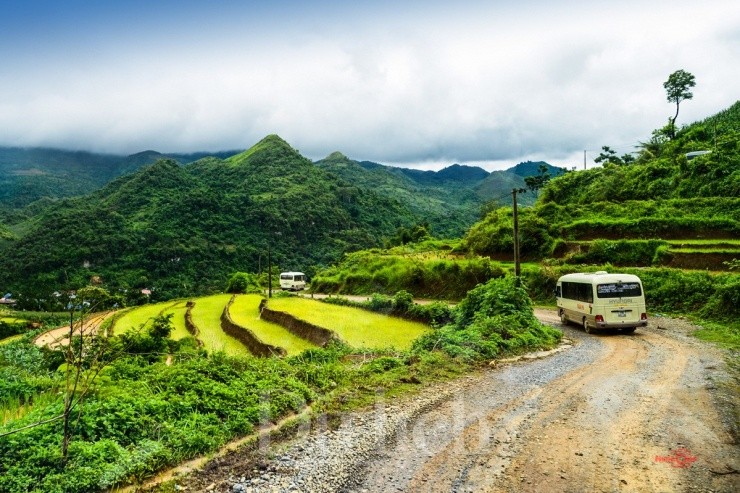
602	301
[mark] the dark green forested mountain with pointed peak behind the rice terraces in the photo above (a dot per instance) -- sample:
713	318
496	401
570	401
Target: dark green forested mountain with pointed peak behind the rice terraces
182	230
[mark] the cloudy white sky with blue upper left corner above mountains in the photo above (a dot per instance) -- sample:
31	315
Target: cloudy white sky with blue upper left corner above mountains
416	83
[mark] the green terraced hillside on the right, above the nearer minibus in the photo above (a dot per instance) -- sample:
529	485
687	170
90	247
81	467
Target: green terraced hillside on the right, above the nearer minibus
607	214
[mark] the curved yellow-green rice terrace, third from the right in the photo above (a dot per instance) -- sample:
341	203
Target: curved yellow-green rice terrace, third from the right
207	318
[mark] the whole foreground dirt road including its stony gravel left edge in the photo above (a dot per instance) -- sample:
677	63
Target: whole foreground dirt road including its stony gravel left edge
653	411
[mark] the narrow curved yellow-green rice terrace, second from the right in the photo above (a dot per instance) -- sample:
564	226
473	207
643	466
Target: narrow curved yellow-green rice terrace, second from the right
245	312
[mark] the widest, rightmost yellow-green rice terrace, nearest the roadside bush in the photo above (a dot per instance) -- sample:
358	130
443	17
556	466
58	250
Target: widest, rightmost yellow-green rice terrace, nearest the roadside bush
358	328
